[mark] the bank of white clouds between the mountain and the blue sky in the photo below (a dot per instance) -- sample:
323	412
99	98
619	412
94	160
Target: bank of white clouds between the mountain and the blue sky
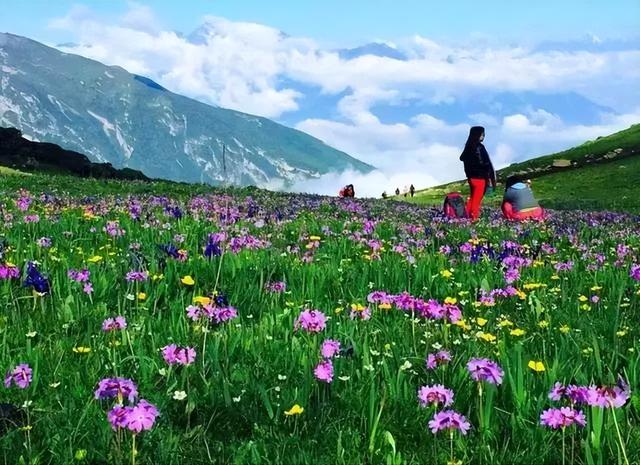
242	65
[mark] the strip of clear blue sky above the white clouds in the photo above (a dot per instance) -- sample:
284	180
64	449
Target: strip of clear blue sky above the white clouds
355	21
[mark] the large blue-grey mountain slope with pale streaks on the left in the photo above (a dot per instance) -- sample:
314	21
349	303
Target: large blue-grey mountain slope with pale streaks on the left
132	121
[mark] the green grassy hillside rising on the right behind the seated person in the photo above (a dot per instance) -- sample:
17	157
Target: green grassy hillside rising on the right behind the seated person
597	175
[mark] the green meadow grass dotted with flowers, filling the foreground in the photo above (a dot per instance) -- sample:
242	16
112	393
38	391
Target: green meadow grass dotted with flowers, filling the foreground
249	371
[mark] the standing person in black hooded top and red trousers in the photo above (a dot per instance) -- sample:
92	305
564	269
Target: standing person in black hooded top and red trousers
478	169
